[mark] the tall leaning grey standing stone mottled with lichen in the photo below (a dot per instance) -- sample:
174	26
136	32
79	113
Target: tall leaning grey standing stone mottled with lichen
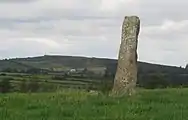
126	74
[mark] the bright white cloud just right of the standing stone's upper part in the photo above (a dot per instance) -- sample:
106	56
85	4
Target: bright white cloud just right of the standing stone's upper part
169	30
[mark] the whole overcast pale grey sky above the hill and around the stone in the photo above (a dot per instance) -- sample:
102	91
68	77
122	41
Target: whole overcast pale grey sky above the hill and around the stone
92	28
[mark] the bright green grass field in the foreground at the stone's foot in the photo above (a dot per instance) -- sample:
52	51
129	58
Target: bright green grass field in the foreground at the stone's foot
166	104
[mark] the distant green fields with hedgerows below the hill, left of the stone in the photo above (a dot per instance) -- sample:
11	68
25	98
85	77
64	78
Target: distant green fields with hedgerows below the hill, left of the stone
21	82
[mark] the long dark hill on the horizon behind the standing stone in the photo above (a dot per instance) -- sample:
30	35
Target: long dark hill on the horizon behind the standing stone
149	75
